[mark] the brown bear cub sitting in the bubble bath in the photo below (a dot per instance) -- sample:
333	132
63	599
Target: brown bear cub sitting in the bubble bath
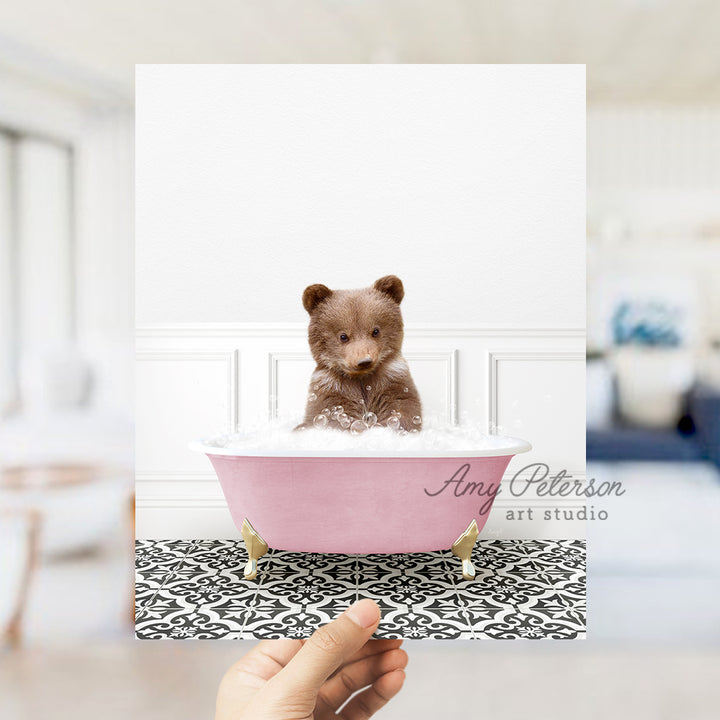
361	378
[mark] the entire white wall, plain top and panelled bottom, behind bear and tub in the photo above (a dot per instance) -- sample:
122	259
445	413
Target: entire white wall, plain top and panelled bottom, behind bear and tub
255	181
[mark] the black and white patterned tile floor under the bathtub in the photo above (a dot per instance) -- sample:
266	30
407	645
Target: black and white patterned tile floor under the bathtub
523	589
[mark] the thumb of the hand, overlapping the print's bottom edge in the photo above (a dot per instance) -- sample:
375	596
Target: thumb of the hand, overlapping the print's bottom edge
328	648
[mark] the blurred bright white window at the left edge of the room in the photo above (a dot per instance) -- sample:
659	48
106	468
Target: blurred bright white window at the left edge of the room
37	285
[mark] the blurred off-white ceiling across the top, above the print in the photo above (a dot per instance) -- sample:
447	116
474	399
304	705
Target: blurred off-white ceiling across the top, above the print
635	50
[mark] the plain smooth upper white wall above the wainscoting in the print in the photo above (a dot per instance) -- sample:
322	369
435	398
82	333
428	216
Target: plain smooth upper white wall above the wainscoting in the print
466	181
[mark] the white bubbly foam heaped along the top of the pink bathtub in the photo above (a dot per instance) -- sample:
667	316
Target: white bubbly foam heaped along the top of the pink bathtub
435	438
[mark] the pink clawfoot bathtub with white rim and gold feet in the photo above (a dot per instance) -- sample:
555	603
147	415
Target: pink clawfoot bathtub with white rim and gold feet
338	502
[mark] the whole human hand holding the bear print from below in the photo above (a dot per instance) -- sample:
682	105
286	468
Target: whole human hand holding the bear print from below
312	679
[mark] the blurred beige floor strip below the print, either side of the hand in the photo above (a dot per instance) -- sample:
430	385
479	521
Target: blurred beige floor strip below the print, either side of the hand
167	680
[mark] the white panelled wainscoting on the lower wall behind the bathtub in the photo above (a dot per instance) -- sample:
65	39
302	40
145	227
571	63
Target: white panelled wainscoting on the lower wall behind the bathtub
196	380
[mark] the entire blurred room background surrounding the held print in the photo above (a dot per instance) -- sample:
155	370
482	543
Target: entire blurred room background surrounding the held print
66	348
